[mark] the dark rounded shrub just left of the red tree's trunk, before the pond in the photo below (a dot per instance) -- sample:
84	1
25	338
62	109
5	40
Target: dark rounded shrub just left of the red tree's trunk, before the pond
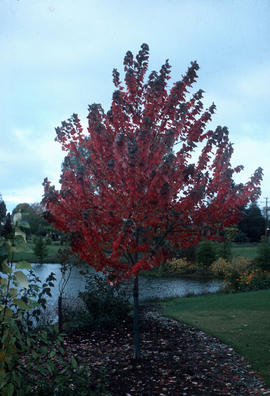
106	306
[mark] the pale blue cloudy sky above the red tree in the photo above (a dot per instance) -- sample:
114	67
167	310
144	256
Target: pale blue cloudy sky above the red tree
57	58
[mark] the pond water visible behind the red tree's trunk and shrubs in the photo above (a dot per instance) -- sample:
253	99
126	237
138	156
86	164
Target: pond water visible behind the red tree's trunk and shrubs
150	288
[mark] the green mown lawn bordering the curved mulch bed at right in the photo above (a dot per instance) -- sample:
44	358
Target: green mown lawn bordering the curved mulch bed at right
240	320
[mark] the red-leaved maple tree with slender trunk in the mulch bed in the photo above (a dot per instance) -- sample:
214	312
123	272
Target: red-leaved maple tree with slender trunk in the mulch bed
147	177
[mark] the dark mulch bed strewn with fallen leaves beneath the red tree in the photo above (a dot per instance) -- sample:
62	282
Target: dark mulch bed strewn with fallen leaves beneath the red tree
175	360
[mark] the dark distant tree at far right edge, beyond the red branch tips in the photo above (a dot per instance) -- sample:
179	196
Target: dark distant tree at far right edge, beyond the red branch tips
252	223
